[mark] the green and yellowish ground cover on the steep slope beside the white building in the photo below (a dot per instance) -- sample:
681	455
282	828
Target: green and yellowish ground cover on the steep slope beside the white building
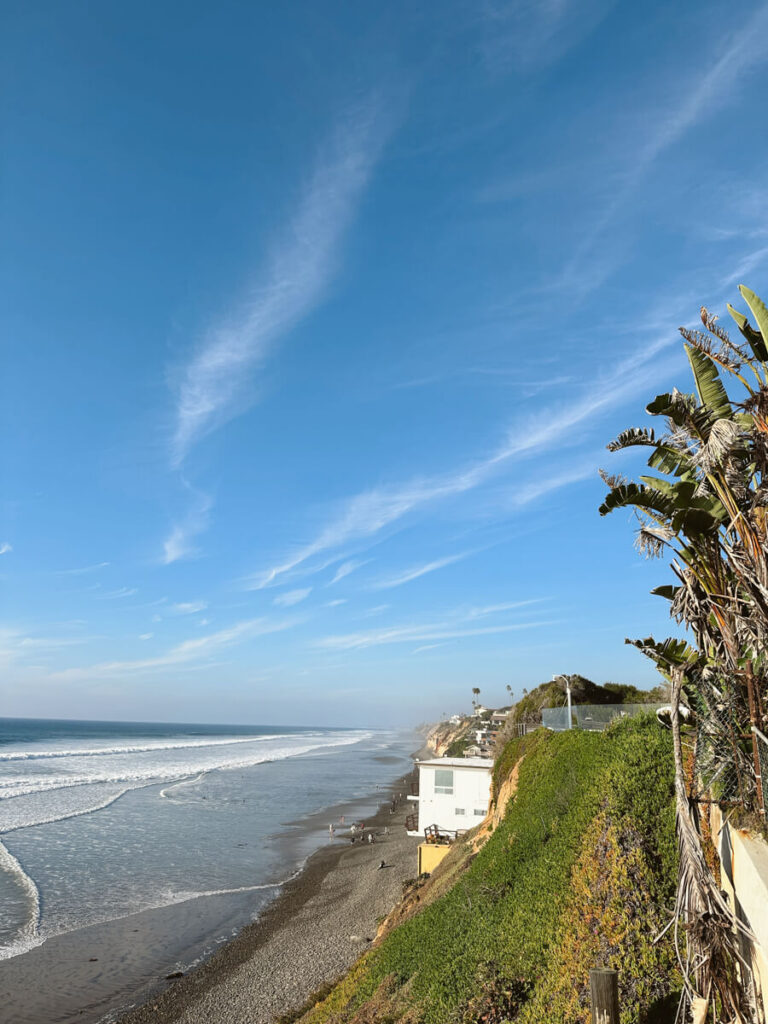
580	873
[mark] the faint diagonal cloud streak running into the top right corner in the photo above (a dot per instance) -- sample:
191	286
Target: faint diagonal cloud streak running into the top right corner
708	94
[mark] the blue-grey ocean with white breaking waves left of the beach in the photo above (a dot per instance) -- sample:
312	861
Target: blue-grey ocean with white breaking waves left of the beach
103	821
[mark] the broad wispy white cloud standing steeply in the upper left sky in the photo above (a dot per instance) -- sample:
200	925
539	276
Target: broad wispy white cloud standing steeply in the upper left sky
301	270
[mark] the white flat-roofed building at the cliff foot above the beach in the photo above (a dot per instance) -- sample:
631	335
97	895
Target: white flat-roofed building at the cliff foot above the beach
454	793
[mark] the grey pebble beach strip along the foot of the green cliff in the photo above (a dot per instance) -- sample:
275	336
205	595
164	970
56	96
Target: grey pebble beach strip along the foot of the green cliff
321	923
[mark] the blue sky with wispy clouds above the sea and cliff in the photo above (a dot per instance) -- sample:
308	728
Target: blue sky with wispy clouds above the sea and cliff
317	322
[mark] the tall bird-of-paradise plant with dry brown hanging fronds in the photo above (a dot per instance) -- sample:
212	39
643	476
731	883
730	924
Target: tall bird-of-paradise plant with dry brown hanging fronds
706	505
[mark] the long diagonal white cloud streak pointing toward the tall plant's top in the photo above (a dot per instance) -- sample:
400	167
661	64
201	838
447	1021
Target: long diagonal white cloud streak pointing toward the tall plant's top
372	511
